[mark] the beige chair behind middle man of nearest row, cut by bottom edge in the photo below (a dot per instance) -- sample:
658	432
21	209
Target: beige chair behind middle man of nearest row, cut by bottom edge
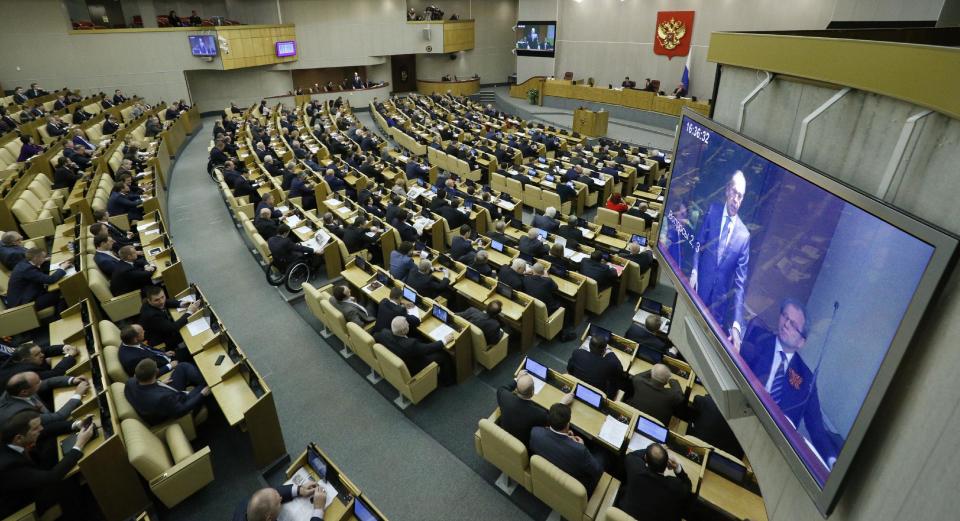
563	493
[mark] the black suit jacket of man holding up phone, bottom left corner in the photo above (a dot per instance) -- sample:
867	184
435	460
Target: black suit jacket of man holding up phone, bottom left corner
21	479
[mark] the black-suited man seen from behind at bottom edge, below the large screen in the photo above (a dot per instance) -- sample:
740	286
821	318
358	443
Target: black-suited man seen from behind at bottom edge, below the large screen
649	494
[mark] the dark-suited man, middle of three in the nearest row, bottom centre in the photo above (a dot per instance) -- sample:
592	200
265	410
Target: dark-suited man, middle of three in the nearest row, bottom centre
560	446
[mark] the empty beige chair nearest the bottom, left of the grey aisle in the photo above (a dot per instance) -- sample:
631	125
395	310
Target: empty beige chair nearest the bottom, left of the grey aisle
168	462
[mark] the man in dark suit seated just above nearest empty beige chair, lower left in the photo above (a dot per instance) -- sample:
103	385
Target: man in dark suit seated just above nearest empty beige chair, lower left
157	402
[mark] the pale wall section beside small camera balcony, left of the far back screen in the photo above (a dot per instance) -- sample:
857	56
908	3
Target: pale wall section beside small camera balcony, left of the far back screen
491	56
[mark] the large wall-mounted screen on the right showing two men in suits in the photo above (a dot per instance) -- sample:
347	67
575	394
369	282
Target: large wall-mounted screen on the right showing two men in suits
808	289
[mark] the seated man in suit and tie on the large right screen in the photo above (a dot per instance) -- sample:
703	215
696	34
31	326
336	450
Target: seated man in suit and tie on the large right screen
790	383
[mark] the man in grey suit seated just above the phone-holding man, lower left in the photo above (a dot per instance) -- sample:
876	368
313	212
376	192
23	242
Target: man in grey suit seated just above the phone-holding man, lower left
21	395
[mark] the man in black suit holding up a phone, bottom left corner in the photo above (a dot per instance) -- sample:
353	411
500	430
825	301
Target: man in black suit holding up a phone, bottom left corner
25	480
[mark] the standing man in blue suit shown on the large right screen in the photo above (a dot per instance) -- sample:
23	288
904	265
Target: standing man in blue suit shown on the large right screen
720	265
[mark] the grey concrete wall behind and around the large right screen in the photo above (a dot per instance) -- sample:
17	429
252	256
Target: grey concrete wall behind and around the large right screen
908	464
